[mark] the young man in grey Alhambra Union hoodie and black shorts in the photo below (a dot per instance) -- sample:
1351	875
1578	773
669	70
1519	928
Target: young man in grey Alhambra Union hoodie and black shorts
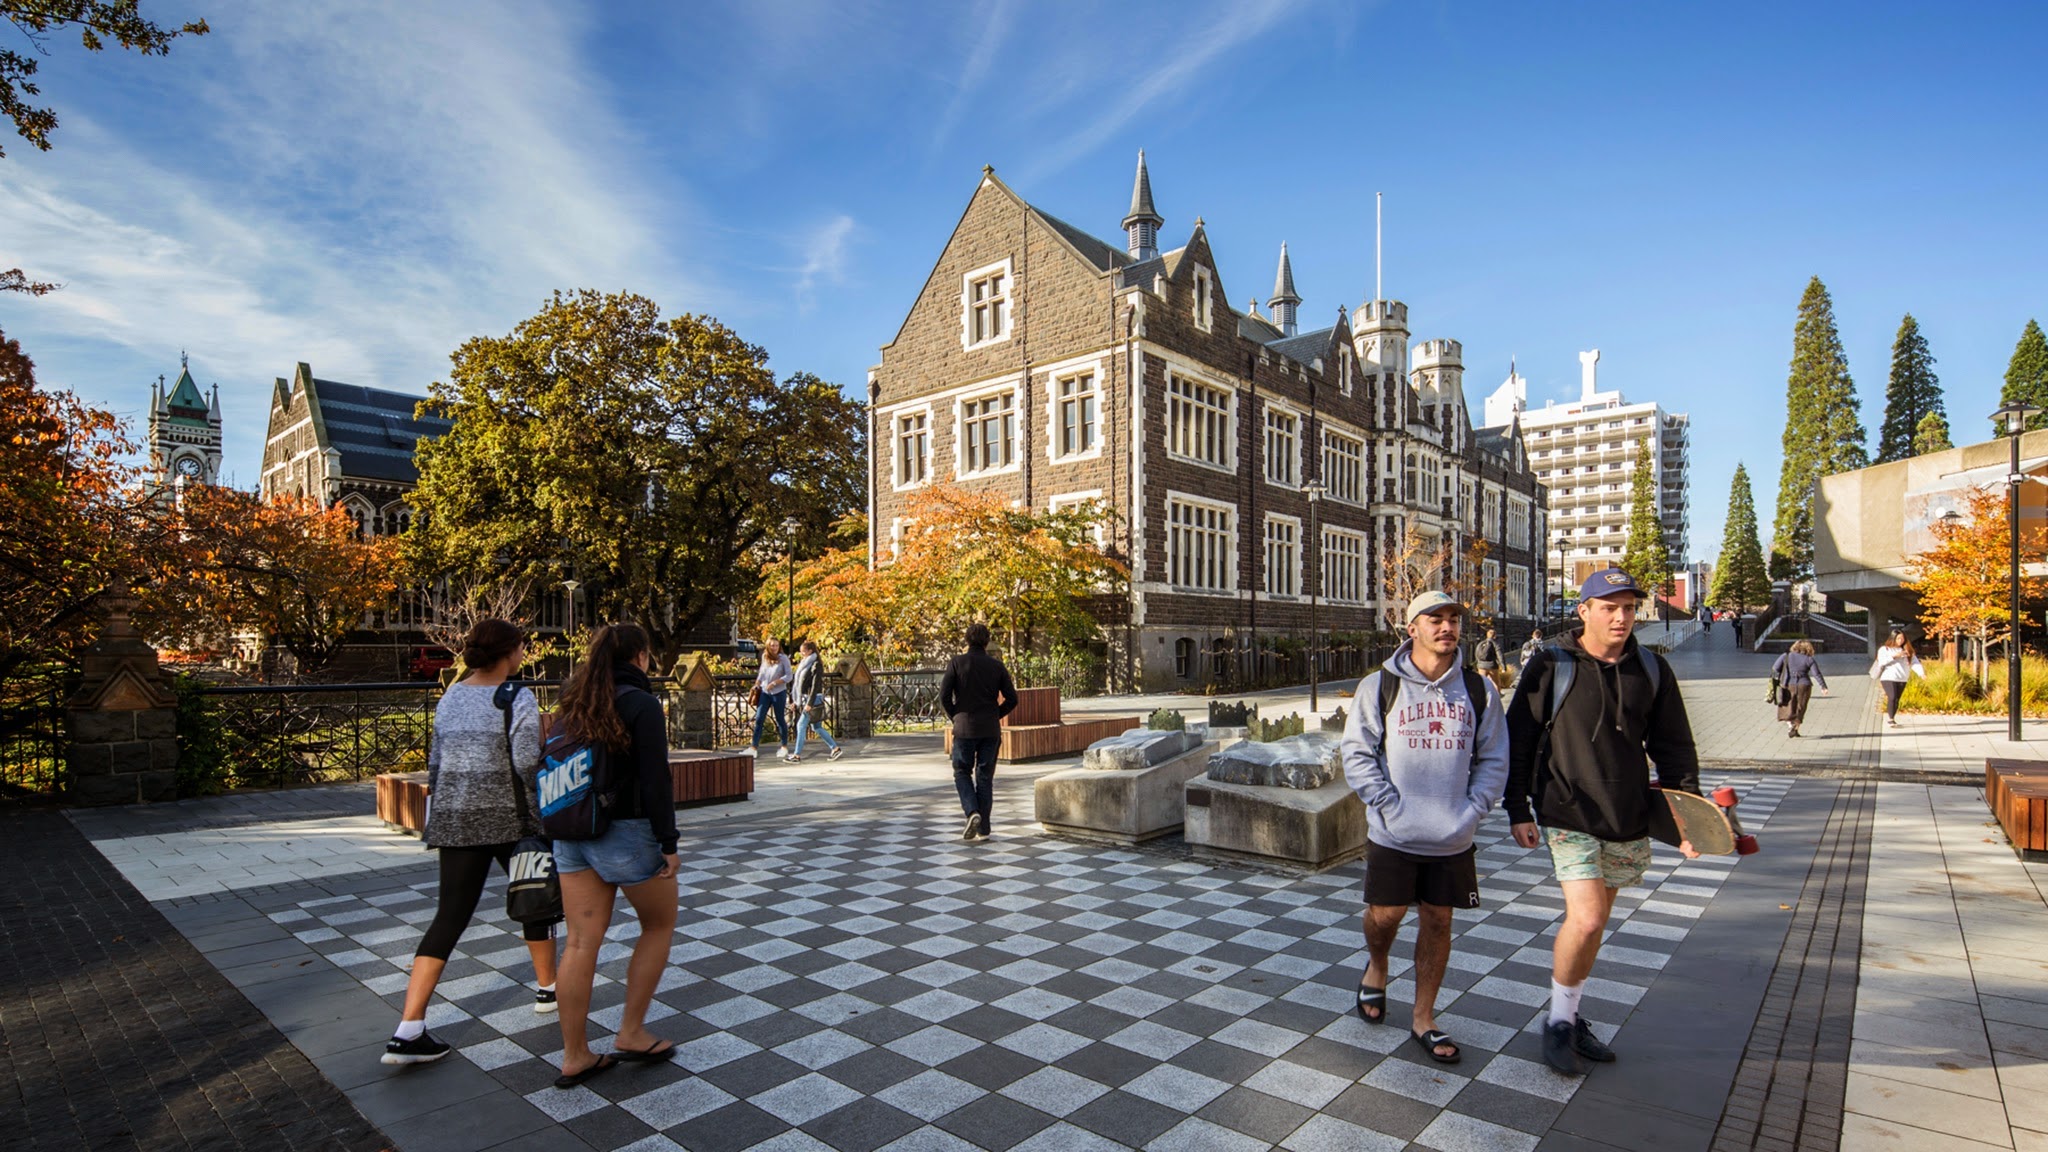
1431	770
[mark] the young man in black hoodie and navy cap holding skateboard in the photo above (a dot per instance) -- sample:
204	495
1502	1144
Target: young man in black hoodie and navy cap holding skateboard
1588	774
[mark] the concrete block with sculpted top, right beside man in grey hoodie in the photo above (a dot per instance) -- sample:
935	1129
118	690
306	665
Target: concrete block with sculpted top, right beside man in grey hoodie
1281	805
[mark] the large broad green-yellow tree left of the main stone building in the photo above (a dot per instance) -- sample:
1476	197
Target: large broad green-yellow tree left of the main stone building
644	456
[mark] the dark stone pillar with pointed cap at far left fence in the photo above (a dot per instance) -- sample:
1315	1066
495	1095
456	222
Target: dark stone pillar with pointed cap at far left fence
122	721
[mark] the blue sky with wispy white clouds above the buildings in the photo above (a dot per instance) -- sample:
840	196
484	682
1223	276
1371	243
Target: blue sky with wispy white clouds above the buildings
366	188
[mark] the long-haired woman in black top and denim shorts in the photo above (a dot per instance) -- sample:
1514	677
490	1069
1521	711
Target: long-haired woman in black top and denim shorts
611	702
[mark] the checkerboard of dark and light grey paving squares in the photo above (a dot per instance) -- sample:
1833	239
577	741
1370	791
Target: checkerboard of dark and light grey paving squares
867	981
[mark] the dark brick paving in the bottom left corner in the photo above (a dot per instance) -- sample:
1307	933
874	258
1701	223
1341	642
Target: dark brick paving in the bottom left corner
118	1034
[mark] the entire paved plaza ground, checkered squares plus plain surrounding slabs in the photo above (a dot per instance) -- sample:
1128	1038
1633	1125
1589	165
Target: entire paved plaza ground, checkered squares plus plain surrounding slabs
851	977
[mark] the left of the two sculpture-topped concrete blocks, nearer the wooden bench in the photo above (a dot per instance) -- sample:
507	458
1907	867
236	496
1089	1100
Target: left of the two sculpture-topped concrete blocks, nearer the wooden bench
1132	788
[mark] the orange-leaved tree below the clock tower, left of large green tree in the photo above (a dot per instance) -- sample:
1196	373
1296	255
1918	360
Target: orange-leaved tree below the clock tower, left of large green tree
286	569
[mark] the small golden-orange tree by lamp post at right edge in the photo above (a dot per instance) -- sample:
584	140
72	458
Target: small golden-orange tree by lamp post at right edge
1965	579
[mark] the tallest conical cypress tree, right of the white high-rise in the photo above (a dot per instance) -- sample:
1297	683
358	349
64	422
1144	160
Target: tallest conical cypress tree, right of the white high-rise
1824	429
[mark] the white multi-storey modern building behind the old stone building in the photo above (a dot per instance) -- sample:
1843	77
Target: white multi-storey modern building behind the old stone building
1586	454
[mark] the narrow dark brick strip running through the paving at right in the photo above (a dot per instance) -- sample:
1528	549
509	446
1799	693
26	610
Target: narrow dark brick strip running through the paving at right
1789	1094
